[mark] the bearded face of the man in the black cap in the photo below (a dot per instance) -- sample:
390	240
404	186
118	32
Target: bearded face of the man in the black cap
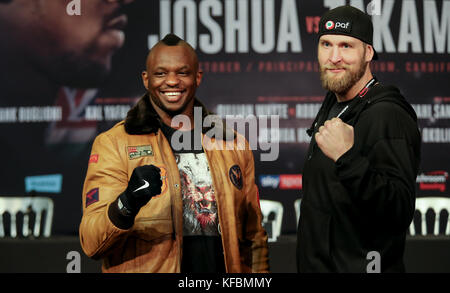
343	61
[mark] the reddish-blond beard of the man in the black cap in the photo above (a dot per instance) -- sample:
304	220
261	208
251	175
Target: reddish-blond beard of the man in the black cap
342	85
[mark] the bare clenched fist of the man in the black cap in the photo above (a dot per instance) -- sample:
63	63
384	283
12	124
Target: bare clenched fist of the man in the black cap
335	138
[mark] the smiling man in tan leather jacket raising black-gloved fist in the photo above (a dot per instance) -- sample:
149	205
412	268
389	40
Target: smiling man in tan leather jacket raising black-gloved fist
150	205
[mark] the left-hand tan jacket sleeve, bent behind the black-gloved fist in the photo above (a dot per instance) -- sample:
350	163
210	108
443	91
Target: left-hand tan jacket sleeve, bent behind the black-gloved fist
106	178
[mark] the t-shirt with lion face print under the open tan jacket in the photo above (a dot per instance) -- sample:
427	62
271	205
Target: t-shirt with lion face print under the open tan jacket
202	242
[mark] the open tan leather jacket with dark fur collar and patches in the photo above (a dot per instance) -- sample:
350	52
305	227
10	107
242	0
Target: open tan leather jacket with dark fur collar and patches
154	242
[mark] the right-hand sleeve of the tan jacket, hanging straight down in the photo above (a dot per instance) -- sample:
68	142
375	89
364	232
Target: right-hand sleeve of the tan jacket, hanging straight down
254	232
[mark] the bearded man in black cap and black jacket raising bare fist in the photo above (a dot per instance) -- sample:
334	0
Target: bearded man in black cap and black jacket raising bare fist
361	166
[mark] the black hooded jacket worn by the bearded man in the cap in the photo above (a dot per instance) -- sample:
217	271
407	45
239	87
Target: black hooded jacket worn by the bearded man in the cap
365	201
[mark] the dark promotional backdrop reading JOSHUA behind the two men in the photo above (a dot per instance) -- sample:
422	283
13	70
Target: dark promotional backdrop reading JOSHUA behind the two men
259	58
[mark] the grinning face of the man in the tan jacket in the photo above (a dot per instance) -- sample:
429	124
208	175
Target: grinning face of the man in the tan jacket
172	78
